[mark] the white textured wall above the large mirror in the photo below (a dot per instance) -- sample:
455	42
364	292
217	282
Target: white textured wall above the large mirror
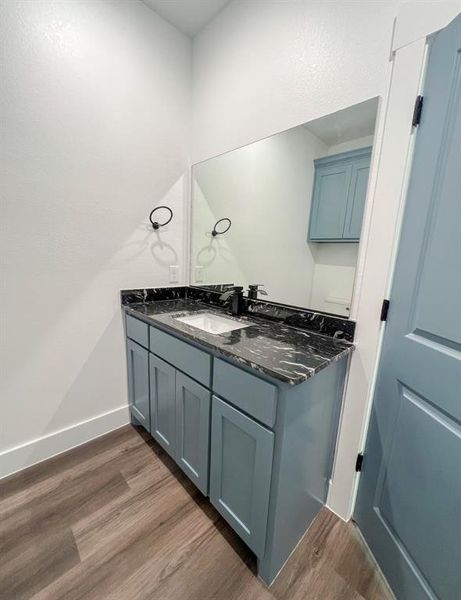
263	67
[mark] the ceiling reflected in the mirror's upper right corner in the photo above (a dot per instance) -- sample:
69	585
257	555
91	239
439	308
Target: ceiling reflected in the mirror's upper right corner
348	124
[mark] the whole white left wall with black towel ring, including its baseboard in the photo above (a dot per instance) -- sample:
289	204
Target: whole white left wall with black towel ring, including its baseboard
94	133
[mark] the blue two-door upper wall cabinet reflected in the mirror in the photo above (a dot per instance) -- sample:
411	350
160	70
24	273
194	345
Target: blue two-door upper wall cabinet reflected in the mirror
338	199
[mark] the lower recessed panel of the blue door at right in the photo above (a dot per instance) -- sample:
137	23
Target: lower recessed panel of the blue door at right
424	469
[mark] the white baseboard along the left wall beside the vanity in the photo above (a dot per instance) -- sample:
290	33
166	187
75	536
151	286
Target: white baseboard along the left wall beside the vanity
30	453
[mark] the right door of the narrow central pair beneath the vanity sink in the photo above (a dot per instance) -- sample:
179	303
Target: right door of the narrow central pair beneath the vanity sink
193	429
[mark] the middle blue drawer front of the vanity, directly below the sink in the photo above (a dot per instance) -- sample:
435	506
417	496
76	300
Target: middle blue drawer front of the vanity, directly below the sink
182	355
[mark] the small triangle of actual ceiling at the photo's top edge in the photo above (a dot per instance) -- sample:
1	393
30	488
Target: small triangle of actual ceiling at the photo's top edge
189	16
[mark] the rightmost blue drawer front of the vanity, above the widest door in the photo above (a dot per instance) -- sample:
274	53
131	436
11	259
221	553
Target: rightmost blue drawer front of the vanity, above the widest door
256	397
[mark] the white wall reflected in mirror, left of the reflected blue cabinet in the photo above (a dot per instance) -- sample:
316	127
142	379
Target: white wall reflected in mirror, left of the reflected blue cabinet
265	189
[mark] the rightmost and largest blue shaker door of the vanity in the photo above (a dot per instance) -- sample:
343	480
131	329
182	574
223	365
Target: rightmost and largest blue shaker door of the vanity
240	474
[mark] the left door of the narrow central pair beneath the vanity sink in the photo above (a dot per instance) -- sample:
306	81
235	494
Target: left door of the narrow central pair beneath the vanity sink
162	403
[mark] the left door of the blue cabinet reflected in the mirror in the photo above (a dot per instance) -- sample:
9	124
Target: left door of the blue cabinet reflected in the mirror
329	201
